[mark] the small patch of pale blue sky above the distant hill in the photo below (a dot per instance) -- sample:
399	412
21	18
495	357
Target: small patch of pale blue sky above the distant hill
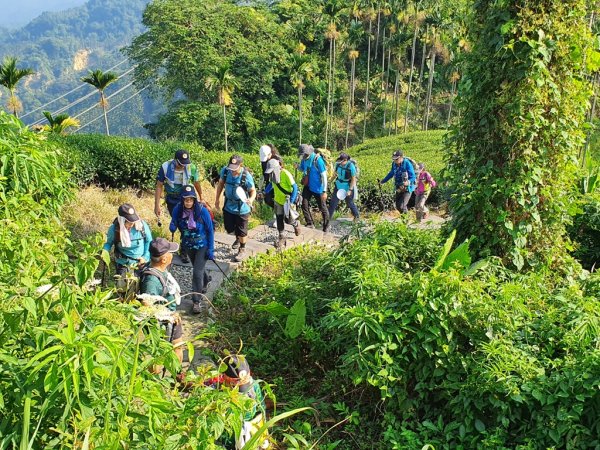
14	14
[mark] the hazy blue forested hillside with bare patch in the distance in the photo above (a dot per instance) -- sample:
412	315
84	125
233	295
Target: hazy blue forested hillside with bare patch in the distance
61	47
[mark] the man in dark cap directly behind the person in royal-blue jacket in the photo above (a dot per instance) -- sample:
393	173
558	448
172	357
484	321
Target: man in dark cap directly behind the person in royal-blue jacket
172	176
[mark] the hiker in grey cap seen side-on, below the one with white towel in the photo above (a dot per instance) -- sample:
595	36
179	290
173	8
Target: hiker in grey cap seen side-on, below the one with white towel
156	280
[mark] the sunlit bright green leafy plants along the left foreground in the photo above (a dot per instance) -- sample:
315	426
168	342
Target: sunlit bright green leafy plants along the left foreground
74	361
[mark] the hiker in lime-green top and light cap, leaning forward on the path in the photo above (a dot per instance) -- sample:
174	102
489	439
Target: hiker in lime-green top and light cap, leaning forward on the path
285	192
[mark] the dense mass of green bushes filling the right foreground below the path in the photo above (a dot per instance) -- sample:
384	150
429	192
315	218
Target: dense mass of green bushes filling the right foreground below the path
461	355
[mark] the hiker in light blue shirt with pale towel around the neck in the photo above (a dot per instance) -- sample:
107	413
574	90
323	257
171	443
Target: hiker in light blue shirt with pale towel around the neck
131	238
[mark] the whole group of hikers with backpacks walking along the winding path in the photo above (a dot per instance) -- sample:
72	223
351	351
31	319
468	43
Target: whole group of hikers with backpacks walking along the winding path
136	252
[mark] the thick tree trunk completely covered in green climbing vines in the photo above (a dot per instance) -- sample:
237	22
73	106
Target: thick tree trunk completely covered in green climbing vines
523	97
